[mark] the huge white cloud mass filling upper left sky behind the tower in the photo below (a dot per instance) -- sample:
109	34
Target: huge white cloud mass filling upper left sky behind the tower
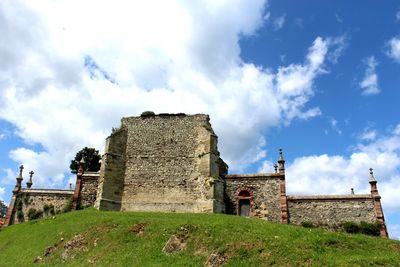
180	57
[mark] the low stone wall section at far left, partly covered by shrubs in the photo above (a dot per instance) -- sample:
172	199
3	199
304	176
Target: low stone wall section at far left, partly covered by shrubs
54	199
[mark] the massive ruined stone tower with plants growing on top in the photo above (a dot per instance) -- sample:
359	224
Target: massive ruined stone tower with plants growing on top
165	162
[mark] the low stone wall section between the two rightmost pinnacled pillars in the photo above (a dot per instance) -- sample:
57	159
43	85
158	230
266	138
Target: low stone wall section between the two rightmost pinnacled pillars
331	211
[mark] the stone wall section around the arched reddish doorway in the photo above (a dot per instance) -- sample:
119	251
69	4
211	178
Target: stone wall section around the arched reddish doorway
265	191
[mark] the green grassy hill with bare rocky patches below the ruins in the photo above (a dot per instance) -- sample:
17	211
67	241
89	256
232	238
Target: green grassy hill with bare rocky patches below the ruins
89	237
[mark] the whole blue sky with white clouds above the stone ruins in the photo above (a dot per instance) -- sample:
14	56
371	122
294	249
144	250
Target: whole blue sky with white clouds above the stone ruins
317	78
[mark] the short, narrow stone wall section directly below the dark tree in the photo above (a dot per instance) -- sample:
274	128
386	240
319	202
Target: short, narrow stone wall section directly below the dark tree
88	192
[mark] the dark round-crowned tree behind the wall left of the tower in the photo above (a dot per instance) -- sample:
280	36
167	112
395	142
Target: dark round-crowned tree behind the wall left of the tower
91	157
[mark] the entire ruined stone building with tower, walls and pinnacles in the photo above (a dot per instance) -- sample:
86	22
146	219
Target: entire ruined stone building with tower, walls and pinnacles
171	163
